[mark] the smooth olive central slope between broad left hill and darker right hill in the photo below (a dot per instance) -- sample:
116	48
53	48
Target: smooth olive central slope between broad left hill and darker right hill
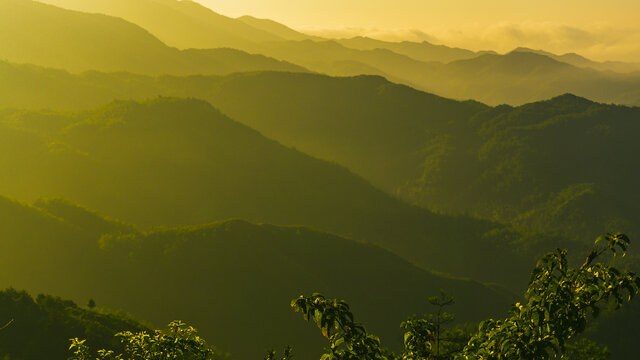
372	126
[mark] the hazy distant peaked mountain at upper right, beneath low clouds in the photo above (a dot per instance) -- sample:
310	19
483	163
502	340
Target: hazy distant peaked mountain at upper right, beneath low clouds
519	77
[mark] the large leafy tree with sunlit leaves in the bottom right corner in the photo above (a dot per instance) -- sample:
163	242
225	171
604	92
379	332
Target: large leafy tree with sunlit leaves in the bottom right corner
559	301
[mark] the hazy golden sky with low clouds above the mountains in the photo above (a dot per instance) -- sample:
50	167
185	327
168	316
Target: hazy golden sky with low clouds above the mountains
597	28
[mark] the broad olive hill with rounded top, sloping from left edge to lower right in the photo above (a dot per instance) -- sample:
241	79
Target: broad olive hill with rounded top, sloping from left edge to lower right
181	162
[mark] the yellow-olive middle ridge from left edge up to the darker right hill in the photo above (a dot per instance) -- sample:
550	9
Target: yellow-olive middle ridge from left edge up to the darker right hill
361	129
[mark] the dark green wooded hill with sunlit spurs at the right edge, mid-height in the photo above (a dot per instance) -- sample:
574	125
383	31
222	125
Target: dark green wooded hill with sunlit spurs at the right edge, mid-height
542	164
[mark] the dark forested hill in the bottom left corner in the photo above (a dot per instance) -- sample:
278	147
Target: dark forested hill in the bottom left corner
40	328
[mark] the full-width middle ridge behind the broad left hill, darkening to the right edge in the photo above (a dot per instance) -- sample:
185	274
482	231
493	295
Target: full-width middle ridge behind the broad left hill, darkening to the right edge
435	152
